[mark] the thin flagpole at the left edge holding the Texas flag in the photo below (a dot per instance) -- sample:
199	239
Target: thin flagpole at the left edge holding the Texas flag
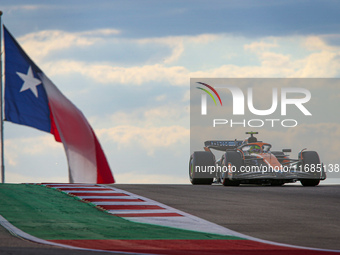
1	111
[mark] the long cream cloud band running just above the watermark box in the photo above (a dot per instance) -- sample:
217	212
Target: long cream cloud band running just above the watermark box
321	64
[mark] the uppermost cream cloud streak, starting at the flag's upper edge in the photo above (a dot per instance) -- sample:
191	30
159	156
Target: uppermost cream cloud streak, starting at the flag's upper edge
42	43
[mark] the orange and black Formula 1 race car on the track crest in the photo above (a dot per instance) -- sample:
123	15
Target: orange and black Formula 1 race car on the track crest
251	162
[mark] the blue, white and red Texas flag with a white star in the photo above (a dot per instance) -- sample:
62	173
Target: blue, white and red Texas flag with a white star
31	99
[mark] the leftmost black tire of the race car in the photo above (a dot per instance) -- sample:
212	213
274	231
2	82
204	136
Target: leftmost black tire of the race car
203	159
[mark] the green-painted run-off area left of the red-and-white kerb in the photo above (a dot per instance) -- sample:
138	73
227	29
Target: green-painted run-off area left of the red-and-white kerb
52	215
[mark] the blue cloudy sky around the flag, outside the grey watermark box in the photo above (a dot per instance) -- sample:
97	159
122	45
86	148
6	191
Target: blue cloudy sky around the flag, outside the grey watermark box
127	65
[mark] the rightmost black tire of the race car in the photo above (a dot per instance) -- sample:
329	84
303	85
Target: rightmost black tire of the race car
310	158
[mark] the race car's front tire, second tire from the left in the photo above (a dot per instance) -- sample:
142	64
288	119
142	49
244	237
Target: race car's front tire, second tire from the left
232	161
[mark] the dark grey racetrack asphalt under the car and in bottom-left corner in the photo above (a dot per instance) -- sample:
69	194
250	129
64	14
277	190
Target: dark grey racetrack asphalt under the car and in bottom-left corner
292	214
